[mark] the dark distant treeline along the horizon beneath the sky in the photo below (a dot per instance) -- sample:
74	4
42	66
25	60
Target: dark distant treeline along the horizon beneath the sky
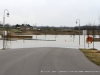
84	27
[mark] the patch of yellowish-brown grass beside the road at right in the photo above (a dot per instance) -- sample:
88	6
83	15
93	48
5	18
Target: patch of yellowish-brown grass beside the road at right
92	55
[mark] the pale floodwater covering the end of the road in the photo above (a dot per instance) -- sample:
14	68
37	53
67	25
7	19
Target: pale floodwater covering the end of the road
63	41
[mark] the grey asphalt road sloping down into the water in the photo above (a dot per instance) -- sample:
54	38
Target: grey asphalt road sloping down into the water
46	61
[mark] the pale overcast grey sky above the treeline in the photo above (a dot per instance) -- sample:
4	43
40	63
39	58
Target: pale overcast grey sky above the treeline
51	12
